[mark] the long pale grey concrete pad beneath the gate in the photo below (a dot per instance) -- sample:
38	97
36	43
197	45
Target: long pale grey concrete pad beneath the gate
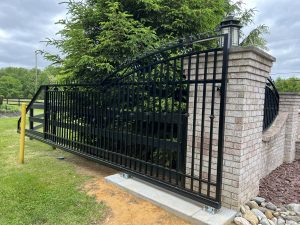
182	207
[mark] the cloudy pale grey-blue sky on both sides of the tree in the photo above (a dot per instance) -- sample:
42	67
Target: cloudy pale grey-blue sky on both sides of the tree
25	25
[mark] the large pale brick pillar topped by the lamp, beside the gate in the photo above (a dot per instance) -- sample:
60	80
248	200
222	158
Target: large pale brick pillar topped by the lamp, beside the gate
248	71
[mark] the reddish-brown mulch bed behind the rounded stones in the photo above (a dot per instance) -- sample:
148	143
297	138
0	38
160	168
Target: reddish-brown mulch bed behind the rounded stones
282	186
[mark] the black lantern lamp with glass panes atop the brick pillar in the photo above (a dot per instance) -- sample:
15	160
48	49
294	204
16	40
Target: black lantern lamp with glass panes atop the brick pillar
231	26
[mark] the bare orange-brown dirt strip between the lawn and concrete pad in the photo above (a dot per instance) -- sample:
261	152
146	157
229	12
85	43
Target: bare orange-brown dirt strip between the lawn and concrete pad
125	208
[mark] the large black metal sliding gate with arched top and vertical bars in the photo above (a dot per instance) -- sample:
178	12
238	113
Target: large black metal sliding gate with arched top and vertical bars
160	118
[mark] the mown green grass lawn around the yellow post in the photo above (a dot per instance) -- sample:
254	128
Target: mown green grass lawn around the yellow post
44	190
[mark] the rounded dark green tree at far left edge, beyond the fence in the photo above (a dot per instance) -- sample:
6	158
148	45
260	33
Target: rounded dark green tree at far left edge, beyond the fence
10	87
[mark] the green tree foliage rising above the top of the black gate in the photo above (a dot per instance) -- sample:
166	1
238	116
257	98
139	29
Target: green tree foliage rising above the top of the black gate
100	35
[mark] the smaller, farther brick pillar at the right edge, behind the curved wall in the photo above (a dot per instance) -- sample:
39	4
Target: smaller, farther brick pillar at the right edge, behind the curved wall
290	102
